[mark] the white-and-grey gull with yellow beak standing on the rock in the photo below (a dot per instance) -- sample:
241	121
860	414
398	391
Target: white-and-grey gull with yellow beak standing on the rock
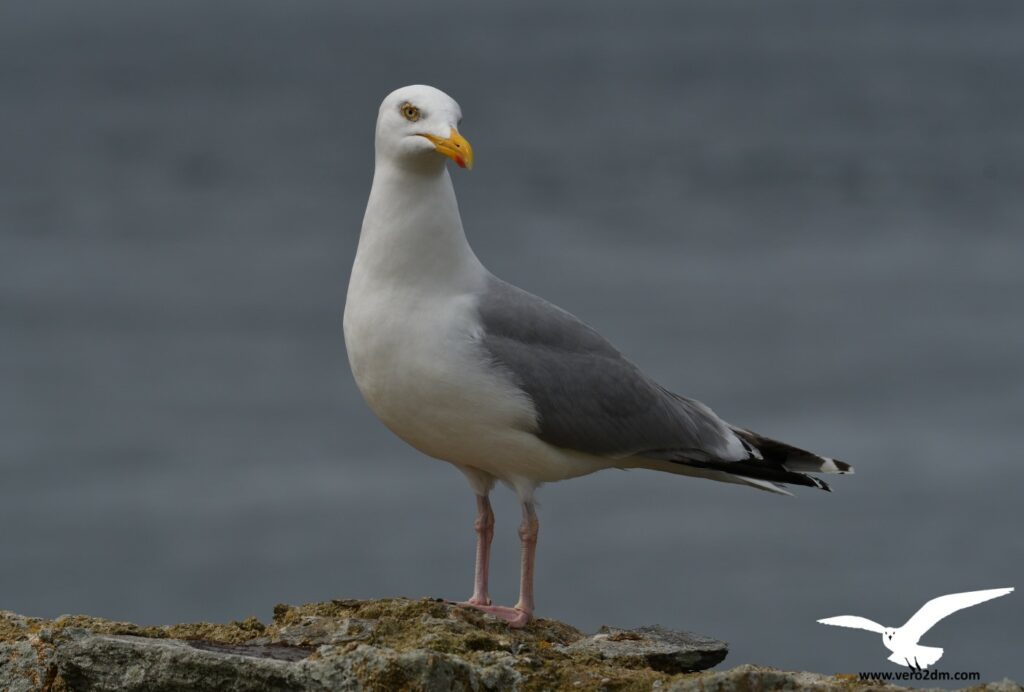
502	384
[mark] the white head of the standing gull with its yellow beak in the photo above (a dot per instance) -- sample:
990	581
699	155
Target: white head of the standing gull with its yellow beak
417	127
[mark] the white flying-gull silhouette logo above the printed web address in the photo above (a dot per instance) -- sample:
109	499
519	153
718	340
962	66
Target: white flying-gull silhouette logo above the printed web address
904	641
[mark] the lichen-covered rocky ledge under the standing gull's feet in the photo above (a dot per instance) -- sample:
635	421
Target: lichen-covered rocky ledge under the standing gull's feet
392	644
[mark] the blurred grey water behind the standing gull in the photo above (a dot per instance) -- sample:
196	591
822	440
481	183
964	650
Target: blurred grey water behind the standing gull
808	215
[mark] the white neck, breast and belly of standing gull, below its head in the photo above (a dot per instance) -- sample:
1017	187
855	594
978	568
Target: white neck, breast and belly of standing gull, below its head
413	338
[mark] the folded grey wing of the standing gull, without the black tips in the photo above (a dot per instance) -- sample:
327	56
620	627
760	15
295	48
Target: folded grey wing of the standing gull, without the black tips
588	397
